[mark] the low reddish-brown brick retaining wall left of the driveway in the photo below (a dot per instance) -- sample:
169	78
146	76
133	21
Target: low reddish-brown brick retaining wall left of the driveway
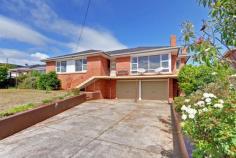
20	121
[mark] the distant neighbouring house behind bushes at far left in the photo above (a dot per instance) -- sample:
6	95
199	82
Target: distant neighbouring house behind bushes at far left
26	69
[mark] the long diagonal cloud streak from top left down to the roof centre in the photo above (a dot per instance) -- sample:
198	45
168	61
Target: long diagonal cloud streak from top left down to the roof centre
42	16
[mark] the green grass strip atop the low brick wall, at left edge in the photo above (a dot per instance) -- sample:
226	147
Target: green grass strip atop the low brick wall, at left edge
17	109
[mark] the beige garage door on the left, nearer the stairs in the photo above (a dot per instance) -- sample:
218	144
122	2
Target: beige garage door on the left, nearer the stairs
126	89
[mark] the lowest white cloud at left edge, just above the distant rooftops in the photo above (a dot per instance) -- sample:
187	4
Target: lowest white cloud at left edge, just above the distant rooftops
20	57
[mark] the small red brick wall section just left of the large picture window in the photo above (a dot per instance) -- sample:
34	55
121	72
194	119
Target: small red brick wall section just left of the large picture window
123	63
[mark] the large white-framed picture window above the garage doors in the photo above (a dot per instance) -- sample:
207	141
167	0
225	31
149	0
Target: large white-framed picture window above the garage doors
150	63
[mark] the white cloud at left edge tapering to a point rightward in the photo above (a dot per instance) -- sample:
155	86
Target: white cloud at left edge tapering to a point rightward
10	29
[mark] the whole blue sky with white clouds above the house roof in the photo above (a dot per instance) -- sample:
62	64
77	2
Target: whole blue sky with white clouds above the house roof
31	30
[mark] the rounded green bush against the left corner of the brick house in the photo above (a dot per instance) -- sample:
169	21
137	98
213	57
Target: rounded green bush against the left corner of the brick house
48	81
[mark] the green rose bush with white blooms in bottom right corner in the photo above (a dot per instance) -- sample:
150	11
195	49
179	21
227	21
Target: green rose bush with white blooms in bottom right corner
210	123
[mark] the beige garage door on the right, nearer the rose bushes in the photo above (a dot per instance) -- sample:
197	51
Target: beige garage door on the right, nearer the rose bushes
154	90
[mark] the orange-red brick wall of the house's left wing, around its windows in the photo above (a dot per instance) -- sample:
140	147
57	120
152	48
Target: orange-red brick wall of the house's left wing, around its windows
96	65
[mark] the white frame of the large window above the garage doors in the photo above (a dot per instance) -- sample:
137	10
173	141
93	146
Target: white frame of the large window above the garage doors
161	61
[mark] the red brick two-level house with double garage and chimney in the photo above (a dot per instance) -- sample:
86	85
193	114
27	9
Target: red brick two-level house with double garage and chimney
148	73
